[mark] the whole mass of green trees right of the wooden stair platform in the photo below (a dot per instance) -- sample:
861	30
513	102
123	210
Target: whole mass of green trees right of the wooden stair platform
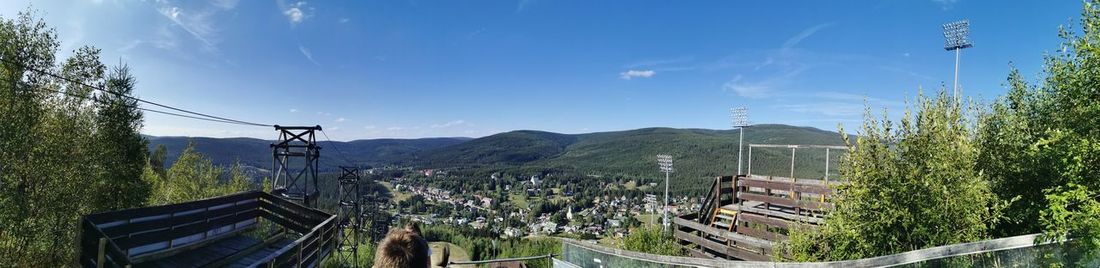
954	172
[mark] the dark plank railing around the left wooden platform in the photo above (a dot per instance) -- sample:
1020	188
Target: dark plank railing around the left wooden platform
120	239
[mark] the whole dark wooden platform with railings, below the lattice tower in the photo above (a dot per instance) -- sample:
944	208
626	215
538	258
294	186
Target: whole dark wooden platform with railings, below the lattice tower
216	232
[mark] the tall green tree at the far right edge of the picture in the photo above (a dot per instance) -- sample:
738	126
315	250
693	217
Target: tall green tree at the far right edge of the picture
1041	144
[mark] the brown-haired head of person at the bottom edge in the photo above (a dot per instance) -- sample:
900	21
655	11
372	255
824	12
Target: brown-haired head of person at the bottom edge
403	248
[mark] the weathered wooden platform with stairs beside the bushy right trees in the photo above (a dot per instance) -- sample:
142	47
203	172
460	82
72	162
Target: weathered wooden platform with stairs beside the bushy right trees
764	209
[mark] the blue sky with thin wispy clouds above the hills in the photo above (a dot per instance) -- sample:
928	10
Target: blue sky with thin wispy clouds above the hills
417	69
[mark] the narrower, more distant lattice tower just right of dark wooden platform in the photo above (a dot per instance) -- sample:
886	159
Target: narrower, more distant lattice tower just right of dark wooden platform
349	216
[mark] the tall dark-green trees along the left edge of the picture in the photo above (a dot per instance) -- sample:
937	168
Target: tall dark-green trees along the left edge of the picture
64	155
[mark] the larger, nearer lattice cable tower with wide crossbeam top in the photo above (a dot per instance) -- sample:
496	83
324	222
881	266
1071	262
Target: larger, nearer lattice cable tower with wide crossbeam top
294	163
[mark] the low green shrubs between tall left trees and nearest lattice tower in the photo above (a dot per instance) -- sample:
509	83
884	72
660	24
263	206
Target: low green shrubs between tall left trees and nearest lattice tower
195	177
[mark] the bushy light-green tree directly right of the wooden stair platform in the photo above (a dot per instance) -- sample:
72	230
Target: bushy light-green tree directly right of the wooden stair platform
912	186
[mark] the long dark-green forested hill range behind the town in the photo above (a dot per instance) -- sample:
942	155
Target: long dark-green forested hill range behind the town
698	153
